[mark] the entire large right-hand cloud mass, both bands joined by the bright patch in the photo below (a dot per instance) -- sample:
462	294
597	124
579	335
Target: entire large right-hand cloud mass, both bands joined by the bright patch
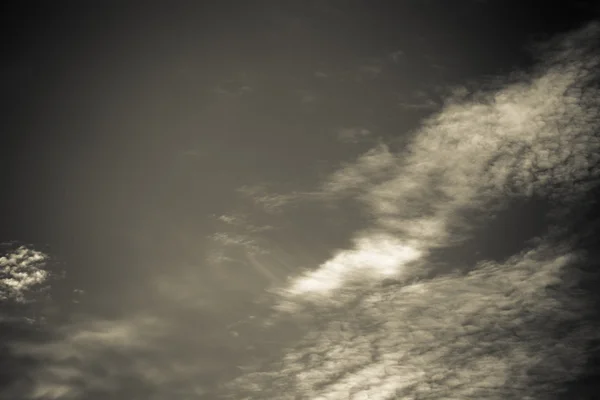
493	330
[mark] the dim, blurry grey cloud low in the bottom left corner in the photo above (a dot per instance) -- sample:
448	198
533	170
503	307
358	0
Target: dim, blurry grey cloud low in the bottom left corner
92	357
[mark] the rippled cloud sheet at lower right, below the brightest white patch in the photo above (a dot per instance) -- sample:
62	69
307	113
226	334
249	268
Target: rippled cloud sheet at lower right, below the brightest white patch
495	333
